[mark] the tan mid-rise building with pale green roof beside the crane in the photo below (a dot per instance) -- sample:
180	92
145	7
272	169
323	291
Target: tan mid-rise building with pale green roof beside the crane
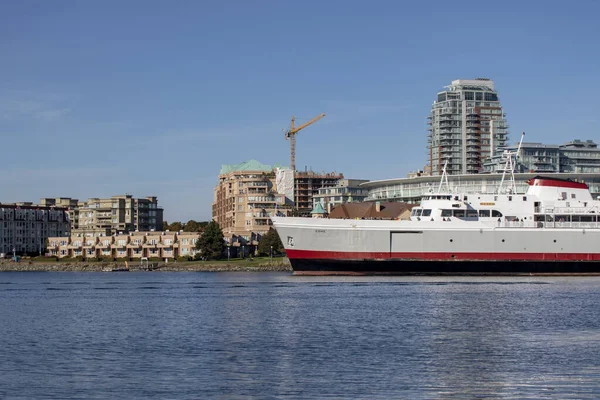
244	200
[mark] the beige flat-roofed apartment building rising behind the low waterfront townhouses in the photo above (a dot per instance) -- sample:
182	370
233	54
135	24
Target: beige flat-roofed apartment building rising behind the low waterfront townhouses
111	215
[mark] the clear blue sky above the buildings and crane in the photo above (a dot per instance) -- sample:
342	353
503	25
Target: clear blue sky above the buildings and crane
151	97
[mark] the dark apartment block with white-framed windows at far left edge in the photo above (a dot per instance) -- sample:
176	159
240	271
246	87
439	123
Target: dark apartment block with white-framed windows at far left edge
24	227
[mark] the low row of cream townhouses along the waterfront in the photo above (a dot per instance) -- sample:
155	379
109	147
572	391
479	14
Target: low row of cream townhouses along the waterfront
132	246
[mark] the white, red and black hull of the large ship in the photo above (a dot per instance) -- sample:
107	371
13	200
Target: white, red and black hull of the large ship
322	246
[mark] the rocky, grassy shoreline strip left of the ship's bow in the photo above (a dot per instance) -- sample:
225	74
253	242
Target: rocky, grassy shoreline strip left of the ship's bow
197	266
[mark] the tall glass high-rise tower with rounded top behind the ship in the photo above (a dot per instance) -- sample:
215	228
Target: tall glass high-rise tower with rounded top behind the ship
466	126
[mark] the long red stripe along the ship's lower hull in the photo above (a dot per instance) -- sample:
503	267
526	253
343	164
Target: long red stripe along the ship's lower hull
342	255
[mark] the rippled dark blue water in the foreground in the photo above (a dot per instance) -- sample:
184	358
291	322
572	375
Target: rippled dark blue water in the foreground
276	336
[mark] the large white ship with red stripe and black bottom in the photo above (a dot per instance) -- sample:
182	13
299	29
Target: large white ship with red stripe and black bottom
552	228
